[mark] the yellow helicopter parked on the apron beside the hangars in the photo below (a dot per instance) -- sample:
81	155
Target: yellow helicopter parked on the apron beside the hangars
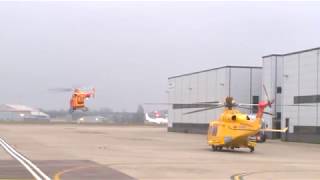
233	129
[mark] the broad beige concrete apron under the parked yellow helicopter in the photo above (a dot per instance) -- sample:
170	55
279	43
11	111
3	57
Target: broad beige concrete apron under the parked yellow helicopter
150	153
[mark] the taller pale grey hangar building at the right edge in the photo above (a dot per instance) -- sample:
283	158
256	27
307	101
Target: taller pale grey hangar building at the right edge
293	80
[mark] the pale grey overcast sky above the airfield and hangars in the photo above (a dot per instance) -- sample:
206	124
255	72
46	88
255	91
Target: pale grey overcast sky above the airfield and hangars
127	50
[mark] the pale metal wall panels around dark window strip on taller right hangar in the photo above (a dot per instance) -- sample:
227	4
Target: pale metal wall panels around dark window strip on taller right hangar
301	78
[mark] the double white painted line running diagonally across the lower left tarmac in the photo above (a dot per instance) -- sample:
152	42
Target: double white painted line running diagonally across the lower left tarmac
33	169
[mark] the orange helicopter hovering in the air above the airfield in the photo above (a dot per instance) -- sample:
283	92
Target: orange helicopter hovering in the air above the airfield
78	97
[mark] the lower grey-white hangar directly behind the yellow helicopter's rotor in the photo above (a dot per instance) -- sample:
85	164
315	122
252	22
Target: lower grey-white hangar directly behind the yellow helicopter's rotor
241	82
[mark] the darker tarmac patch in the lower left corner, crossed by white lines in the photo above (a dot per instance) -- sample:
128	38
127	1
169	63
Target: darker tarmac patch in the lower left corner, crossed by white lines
70	169
